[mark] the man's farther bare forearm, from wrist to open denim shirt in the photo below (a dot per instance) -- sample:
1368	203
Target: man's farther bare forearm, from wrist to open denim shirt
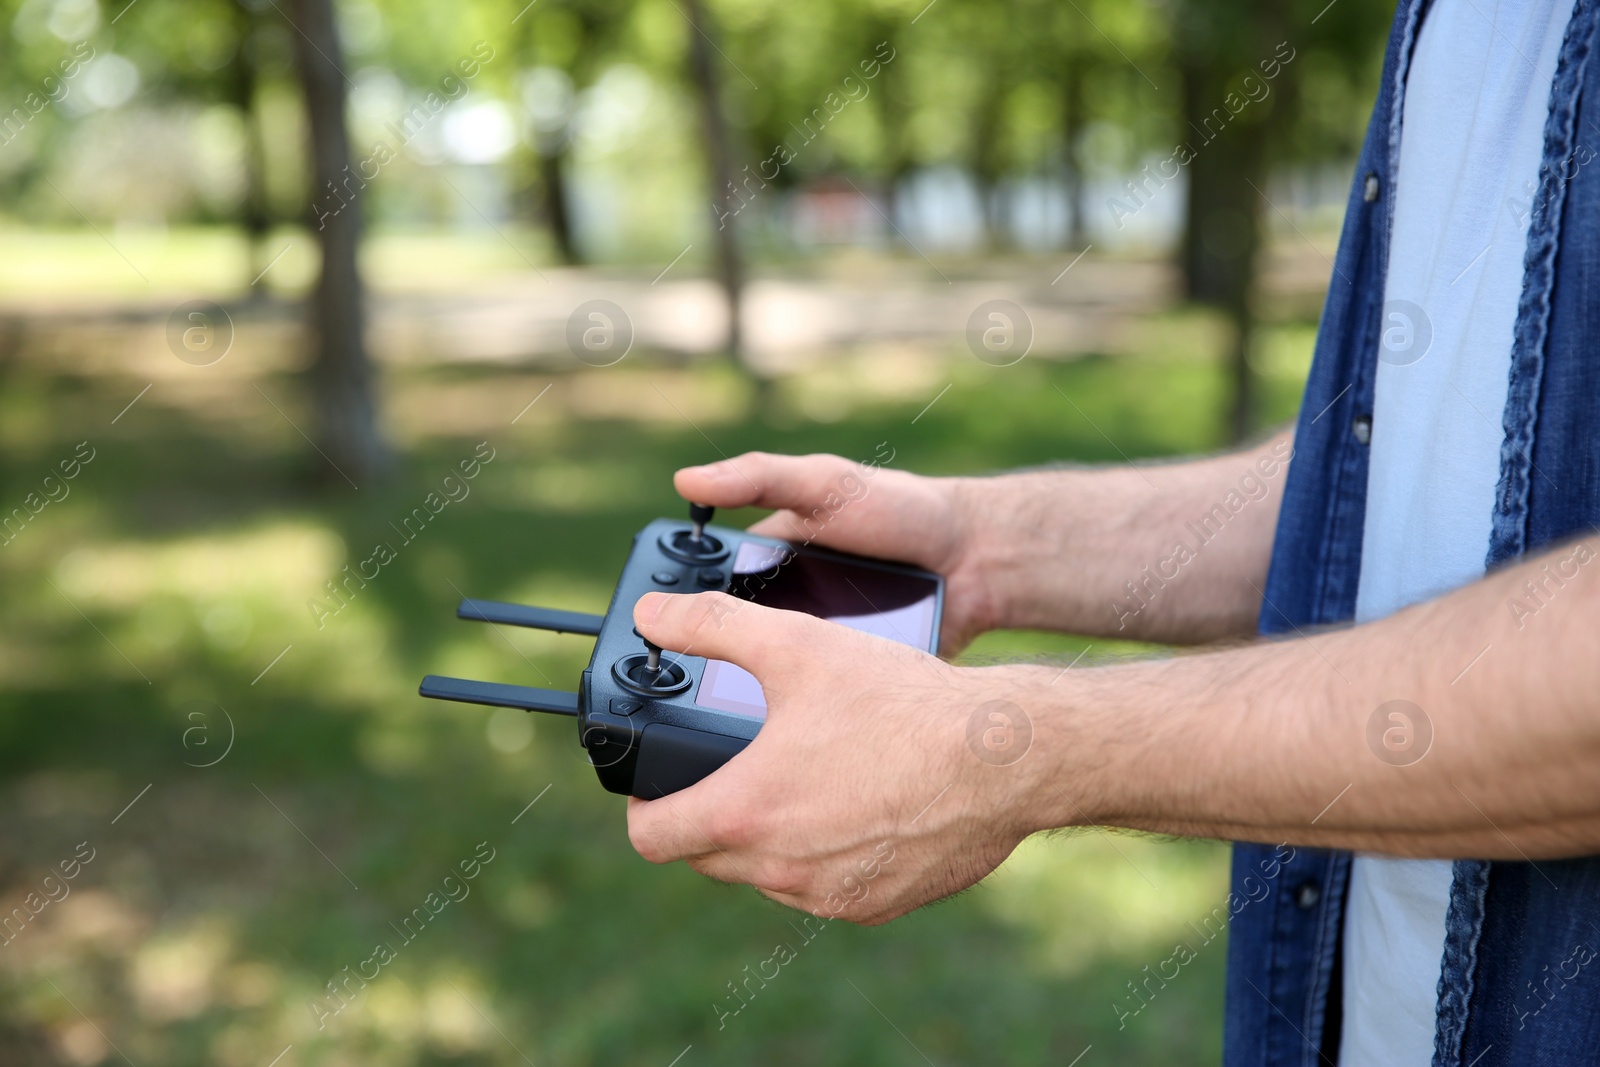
1169	554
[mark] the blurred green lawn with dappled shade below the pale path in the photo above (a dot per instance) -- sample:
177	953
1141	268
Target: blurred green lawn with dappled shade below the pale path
180	567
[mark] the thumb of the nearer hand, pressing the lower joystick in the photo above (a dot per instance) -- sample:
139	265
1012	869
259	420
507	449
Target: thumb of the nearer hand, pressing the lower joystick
719	626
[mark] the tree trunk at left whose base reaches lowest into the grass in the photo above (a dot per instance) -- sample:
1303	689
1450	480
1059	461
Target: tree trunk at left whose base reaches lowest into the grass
342	374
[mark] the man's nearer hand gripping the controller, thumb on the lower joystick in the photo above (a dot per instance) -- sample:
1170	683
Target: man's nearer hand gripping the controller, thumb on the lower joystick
862	797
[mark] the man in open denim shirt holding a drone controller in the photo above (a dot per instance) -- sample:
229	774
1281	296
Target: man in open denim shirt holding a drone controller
1446	471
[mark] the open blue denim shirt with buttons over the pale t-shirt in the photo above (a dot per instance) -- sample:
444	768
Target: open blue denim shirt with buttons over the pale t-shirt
1521	981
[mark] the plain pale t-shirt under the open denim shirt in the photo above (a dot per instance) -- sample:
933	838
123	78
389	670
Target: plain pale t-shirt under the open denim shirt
1471	145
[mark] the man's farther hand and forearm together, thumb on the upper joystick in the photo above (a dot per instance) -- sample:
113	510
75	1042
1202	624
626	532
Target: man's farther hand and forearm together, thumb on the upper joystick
1164	554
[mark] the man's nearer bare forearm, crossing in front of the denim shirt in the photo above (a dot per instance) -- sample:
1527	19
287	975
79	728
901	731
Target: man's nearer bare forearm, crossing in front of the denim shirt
1276	743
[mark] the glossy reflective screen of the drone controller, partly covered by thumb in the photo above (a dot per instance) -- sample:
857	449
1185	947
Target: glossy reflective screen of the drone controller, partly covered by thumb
863	597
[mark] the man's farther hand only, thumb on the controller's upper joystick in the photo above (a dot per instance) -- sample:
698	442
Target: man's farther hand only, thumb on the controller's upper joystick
868	511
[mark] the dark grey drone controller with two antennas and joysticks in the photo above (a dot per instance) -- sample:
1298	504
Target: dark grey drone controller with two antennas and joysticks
657	722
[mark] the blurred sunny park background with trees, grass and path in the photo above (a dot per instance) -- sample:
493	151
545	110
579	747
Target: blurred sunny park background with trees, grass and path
270	271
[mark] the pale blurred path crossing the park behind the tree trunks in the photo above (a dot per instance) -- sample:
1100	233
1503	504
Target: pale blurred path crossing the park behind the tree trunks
522	319
